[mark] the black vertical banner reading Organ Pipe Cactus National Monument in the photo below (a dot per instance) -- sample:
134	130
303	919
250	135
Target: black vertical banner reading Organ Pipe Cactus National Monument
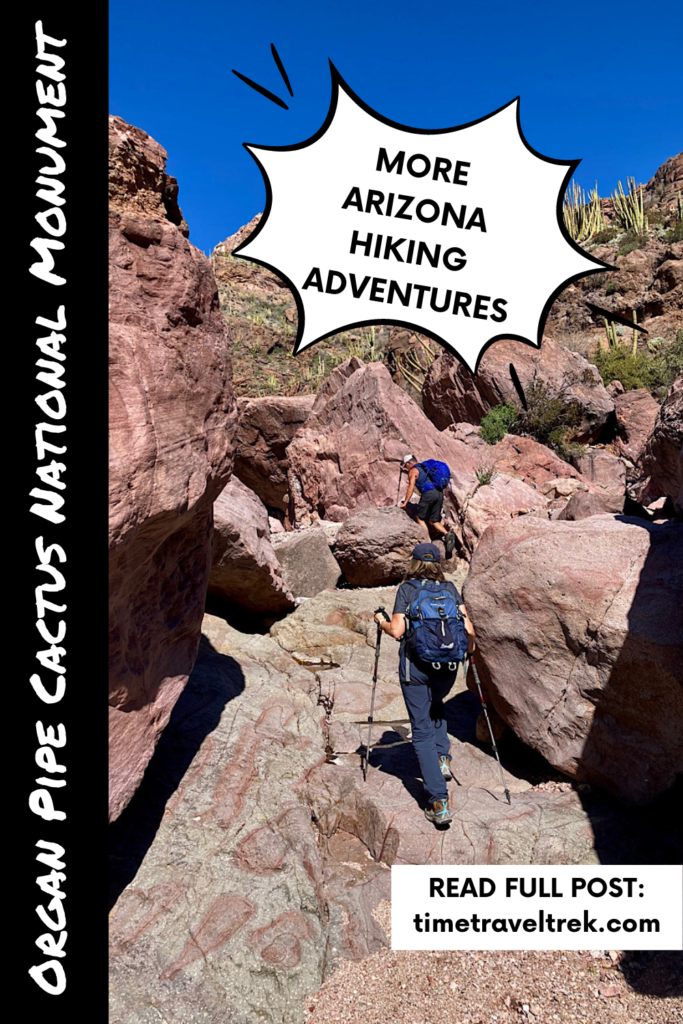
57	201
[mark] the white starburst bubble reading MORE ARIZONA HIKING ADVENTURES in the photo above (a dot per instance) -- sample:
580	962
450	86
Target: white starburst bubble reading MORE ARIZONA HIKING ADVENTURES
456	234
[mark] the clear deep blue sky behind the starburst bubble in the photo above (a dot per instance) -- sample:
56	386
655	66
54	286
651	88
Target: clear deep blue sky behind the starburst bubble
597	82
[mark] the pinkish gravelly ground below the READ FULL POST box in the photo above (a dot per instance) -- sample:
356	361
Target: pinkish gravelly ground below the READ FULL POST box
578	988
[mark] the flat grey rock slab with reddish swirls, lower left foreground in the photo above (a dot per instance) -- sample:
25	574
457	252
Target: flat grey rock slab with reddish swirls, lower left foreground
228	908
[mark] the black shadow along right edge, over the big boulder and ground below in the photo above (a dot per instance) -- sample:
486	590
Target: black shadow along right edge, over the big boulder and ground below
653	655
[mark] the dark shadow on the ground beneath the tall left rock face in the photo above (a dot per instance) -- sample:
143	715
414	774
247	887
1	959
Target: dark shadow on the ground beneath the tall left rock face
217	679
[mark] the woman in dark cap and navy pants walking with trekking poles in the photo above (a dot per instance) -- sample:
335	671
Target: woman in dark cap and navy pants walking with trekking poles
425	685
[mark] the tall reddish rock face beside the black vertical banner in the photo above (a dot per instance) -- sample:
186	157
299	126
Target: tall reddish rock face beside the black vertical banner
172	422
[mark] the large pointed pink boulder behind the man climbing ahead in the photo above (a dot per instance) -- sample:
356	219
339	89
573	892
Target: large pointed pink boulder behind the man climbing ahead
349	454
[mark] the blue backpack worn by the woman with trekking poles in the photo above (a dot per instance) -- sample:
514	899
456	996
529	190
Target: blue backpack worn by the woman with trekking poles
437	627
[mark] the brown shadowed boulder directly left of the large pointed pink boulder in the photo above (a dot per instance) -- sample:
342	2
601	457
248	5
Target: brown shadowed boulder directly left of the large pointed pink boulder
265	430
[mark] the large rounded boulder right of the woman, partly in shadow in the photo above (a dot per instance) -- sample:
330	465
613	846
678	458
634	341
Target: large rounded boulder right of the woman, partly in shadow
580	628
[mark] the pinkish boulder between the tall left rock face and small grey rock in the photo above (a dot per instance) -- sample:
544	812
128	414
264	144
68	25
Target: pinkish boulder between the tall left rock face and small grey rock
245	570
